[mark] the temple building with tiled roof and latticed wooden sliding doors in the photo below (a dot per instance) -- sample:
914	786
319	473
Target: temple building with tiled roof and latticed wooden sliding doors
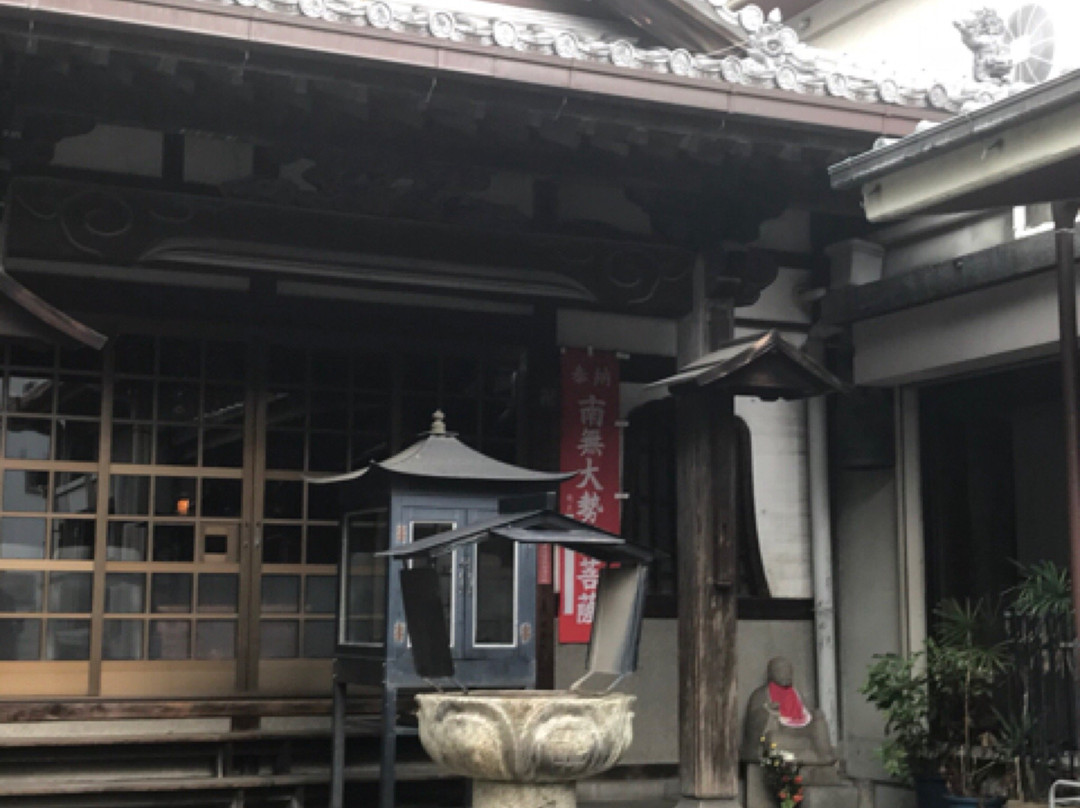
249	244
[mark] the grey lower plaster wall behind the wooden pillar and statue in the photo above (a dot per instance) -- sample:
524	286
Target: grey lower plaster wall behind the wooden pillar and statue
656	683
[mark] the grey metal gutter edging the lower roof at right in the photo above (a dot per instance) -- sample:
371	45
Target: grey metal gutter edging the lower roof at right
958	132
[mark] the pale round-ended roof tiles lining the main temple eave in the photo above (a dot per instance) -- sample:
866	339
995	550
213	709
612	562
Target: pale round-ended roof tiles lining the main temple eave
772	57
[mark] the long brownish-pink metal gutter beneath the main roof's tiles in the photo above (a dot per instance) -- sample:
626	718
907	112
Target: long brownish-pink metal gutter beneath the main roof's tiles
252	28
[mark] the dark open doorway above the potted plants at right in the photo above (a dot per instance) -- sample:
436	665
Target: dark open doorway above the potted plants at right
994	480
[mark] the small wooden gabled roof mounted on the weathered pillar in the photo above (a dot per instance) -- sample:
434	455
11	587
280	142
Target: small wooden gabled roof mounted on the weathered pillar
765	366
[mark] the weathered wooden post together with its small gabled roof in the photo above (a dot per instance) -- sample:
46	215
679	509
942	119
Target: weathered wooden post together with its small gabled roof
769	368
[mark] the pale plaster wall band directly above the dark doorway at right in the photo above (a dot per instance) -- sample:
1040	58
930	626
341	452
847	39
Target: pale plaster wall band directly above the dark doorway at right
994	327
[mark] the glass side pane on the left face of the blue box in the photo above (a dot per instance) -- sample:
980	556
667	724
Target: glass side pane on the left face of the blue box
367	578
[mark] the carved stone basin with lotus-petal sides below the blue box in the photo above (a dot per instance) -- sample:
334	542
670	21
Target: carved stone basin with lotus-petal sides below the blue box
525	748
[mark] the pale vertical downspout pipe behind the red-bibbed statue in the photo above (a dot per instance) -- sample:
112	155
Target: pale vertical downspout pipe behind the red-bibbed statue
821	553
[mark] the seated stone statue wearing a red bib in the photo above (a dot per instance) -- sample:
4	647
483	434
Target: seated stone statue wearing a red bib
777	713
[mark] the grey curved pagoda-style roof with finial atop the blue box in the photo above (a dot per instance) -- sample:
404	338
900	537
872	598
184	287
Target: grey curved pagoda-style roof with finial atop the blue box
440	455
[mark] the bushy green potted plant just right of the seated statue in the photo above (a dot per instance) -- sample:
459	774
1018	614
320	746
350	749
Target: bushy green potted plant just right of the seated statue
939	707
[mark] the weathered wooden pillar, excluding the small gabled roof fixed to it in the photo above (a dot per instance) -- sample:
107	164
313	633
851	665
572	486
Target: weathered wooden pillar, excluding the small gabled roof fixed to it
709	722
